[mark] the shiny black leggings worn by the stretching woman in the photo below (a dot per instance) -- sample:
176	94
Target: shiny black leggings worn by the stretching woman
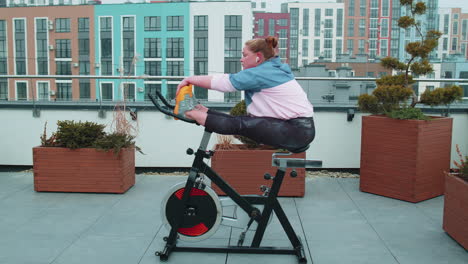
293	134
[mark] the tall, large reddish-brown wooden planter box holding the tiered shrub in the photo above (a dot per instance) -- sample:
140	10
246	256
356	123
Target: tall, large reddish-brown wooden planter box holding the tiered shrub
405	159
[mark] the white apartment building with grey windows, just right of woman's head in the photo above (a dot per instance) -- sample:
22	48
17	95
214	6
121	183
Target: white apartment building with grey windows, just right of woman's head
316	31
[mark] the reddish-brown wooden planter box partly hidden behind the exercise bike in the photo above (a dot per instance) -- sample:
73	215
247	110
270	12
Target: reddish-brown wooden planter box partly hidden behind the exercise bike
243	169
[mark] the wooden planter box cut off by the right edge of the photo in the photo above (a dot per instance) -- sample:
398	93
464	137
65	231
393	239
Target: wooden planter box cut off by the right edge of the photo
456	209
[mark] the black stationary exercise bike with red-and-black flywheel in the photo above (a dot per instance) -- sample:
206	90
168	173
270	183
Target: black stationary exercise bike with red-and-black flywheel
192	211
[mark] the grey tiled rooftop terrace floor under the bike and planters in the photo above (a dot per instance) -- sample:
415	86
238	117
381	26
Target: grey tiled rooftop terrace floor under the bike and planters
337	223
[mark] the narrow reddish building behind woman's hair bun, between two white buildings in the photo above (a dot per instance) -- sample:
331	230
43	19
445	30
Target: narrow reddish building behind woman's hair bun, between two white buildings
274	24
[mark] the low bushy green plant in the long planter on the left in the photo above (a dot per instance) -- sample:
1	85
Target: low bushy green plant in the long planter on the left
71	134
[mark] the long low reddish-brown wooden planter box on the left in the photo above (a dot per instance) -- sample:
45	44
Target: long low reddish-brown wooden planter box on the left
83	170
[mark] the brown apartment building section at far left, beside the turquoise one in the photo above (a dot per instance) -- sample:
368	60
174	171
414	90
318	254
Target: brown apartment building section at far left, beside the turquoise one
52	40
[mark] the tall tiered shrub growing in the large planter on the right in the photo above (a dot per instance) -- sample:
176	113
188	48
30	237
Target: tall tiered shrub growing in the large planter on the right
393	92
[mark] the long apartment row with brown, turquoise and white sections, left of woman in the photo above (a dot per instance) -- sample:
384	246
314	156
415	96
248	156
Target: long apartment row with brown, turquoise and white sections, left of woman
145	39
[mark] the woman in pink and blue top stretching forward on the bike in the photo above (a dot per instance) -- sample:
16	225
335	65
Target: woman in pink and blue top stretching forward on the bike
280	115
